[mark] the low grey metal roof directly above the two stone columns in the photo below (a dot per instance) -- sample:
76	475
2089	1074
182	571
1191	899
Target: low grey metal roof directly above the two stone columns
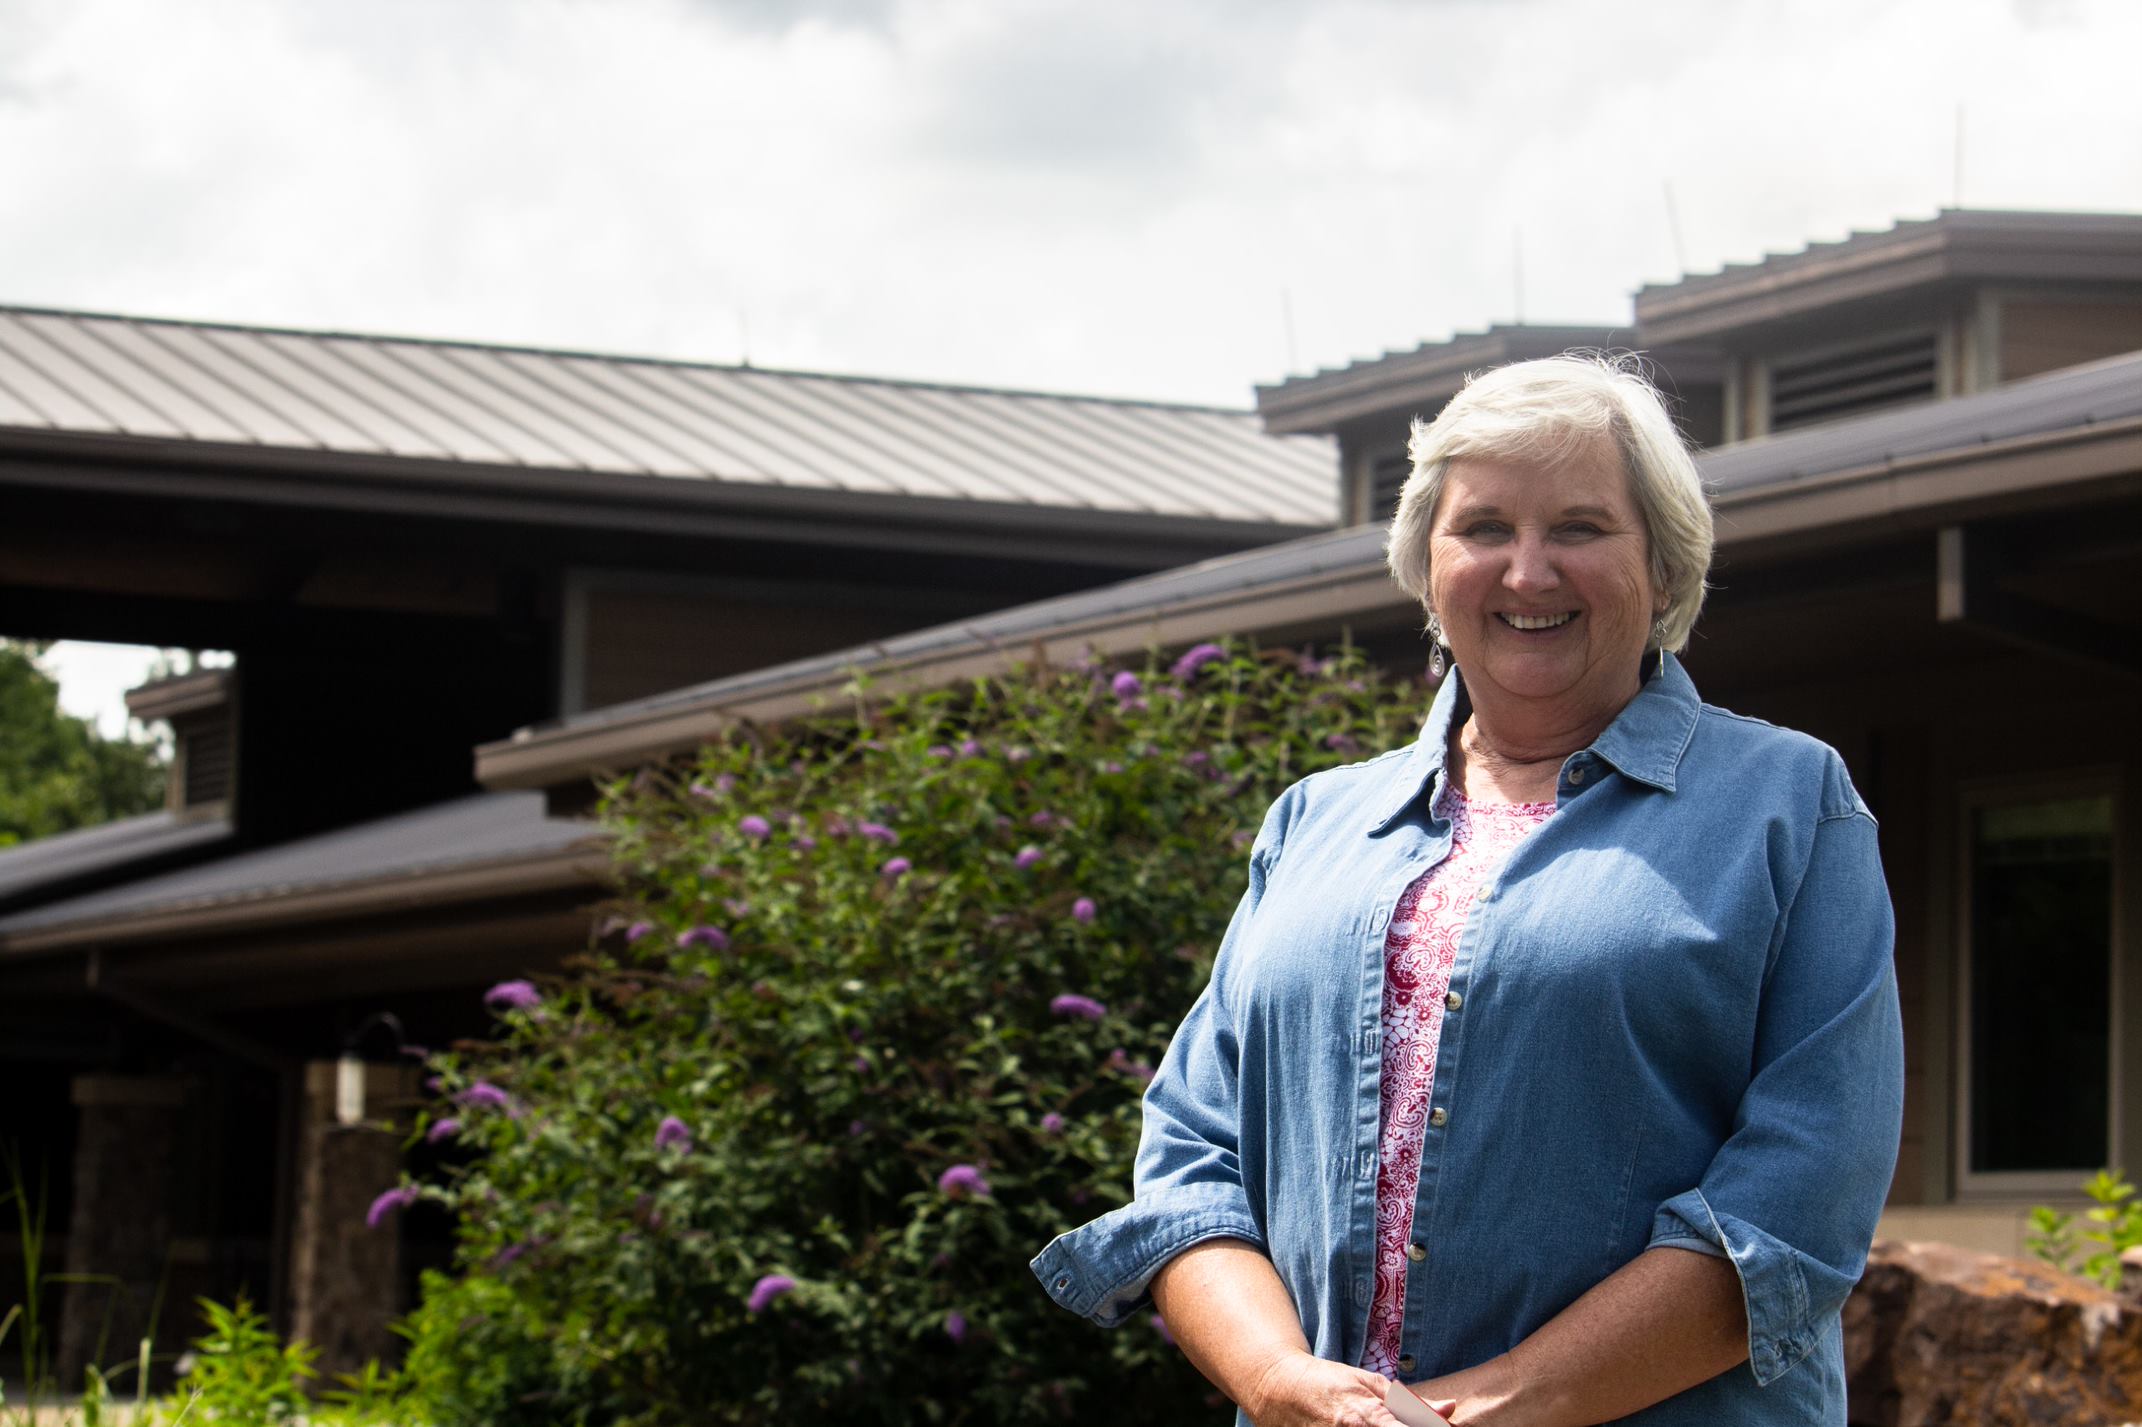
483	828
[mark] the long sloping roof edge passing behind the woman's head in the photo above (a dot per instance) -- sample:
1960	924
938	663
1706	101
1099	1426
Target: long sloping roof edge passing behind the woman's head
1346	569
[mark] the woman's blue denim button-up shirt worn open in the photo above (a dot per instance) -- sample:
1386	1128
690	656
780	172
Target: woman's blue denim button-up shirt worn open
1672	1021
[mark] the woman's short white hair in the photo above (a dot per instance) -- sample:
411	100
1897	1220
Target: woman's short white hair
1550	412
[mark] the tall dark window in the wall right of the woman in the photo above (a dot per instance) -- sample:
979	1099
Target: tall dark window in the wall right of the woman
2038	991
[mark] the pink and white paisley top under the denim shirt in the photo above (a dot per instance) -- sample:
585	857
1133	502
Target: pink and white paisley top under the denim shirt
1419	952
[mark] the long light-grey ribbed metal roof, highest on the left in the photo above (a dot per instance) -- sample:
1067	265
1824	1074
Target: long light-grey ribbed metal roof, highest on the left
350	395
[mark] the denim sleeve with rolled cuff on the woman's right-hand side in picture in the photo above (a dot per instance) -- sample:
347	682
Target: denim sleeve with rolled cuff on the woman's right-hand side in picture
1794	1195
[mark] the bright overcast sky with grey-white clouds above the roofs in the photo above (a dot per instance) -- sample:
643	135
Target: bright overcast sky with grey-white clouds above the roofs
1147	198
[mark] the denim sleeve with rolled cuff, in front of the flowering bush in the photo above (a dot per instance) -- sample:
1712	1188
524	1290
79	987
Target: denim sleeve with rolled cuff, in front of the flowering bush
1188	1184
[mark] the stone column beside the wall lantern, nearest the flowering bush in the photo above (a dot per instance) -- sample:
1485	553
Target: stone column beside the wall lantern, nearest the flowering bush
346	1276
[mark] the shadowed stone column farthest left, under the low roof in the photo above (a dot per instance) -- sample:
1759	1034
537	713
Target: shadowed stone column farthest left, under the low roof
130	1152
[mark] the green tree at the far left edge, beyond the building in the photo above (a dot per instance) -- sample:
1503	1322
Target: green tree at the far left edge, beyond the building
59	772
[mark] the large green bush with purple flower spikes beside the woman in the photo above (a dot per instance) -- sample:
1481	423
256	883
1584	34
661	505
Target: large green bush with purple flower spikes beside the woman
834	978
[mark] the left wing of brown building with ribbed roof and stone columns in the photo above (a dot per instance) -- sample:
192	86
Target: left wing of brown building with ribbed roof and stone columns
414	550
